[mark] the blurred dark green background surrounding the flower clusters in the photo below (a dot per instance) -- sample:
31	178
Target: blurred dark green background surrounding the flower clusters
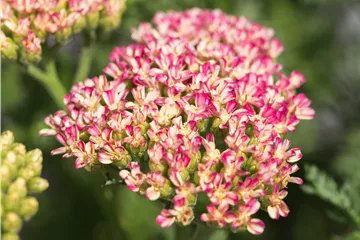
321	39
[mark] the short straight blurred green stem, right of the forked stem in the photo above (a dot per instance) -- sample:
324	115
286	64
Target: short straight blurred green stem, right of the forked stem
84	63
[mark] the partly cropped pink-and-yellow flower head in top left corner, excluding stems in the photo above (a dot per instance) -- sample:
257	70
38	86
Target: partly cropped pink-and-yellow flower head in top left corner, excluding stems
28	25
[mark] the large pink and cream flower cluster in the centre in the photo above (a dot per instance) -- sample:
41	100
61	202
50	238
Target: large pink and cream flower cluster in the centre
198	107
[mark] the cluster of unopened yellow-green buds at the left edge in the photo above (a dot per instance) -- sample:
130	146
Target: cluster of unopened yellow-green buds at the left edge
20	177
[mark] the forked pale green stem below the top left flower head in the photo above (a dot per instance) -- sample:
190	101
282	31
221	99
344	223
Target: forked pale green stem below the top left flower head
50	80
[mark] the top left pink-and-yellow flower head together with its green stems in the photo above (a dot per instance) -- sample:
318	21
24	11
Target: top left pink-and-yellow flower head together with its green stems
35	30
